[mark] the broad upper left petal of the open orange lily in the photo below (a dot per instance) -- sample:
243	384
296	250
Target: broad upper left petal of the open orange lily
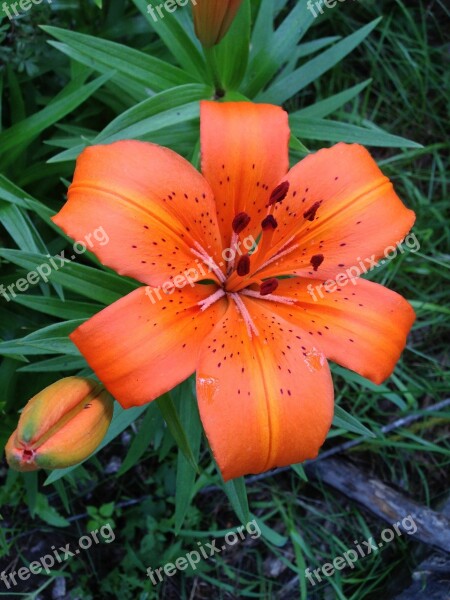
153	207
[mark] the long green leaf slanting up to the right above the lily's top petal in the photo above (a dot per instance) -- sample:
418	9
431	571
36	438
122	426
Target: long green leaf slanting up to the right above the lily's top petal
291	84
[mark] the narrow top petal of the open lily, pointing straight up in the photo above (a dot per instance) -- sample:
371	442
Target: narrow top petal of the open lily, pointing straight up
244	154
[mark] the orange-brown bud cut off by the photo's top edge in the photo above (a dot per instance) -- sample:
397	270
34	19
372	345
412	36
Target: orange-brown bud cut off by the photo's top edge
213	19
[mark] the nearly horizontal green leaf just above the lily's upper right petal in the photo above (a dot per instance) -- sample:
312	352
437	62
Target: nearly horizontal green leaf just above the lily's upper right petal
333	131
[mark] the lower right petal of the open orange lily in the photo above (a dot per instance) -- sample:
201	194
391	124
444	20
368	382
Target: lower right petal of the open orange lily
362	326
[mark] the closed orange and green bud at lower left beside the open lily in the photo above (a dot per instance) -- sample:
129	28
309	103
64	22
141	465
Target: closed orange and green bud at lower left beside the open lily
60	426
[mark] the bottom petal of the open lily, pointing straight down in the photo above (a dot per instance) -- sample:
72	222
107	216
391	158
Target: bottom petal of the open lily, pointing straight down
266	401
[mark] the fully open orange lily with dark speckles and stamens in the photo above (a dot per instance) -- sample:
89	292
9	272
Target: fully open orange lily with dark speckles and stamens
258	343
